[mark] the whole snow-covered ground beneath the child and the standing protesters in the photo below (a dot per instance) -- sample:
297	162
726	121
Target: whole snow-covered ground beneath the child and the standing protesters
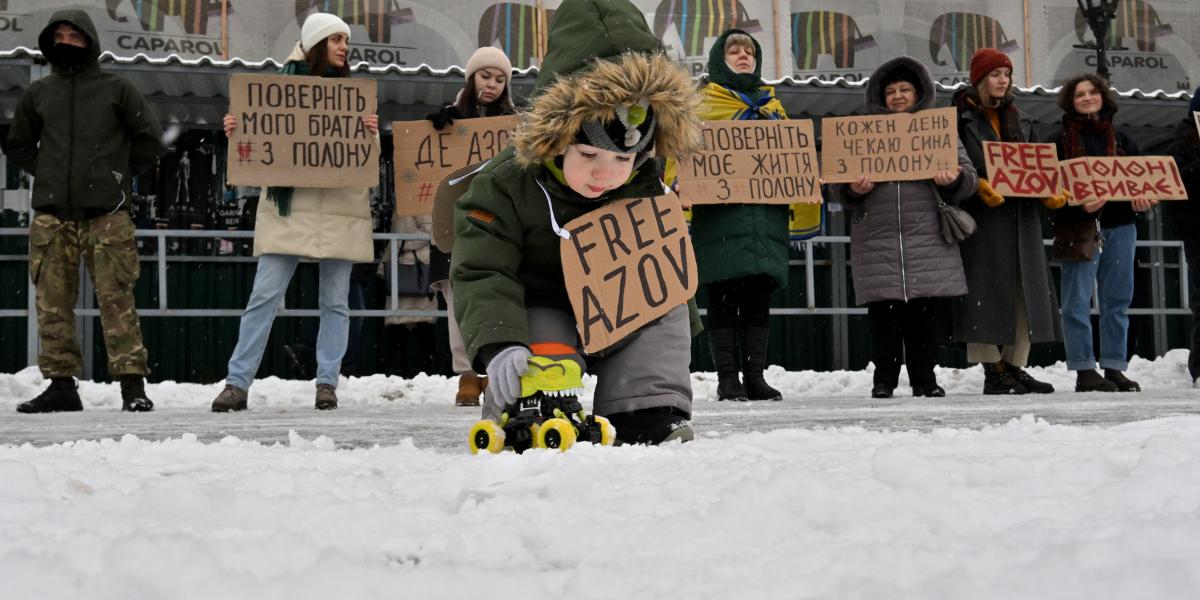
826	495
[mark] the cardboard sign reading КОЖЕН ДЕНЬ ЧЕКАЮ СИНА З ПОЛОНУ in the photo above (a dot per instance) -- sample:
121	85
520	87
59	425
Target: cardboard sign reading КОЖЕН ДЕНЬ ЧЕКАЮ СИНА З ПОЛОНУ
902	147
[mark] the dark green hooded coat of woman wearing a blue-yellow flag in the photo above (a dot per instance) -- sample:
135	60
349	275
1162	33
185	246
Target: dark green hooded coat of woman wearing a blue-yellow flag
740	241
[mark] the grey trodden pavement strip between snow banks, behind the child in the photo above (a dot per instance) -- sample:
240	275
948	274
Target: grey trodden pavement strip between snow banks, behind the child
443	427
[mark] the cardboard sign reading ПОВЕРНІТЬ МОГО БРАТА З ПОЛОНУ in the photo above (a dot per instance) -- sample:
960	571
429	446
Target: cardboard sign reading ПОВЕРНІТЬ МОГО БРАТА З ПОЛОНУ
303	131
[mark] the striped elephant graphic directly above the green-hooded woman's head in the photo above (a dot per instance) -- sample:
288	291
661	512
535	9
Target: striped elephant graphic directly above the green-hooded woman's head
699	20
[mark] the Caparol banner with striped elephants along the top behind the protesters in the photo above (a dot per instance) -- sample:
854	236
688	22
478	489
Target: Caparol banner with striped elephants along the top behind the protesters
1155	44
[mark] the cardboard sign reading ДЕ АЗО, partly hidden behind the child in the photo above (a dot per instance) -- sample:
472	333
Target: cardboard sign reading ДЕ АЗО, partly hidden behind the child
424	157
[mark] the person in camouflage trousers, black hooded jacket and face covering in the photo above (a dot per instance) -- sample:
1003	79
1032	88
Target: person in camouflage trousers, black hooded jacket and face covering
83	134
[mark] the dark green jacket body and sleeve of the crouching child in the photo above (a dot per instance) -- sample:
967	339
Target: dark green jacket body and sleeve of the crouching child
507	254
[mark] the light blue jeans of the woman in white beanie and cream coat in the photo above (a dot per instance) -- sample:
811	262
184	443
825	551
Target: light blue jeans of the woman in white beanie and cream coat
271	284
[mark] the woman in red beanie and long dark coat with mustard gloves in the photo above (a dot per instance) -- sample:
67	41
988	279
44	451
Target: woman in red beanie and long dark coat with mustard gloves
1011	302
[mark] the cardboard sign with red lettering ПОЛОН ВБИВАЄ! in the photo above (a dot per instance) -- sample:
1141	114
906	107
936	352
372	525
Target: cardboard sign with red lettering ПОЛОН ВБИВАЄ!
1123	178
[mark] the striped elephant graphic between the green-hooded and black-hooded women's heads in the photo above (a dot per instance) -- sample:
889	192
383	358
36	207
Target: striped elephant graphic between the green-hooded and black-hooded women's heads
819	33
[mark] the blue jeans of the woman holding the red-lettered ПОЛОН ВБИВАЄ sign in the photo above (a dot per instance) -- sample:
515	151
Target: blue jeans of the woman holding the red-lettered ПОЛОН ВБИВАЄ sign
1112	271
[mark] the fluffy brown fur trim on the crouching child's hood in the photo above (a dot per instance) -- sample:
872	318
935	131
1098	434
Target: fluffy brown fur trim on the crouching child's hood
593	93
